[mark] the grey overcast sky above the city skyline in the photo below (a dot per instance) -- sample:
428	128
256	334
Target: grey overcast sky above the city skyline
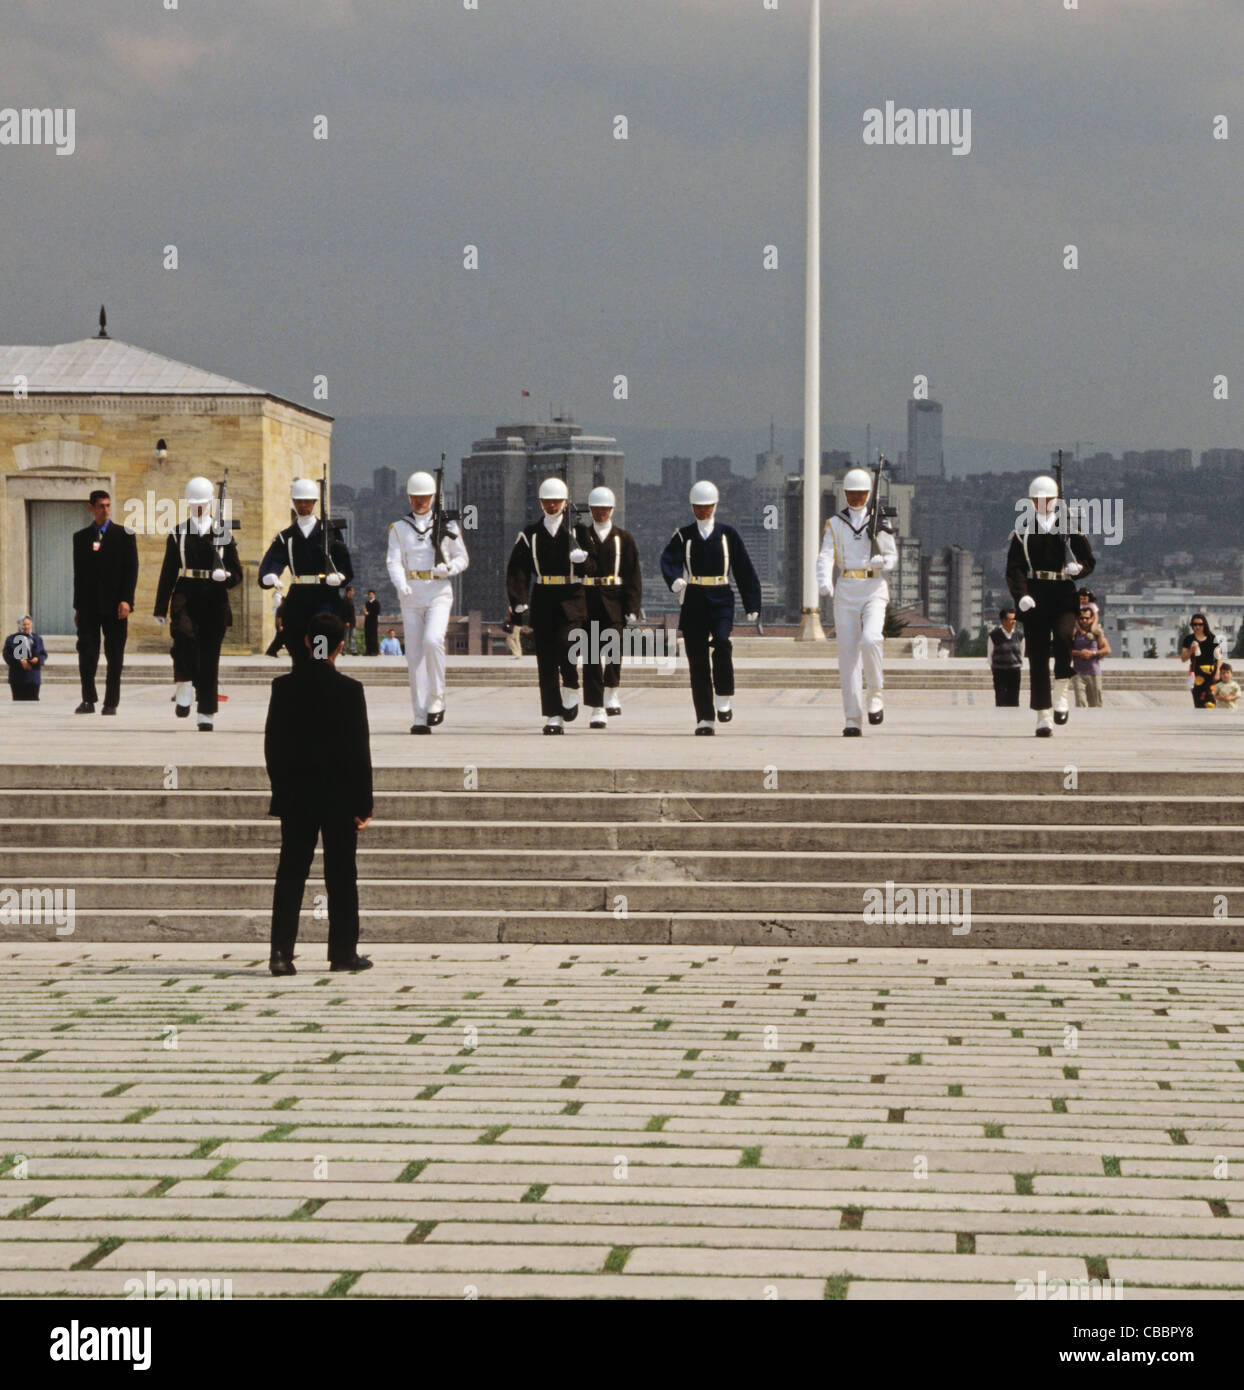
496	127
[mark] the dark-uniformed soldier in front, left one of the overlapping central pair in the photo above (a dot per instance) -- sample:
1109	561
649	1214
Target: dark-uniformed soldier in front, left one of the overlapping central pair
546	573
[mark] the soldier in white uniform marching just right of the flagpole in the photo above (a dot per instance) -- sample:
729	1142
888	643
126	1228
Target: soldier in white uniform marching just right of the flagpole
860	596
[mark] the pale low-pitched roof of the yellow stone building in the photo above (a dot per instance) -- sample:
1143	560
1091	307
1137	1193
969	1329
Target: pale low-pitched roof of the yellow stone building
111	368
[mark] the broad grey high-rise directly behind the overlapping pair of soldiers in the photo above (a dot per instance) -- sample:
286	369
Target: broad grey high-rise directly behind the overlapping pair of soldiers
501	480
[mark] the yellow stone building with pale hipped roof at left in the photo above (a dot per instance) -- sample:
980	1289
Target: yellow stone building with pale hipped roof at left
101	414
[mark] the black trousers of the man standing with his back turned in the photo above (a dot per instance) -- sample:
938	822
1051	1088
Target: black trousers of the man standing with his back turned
341	878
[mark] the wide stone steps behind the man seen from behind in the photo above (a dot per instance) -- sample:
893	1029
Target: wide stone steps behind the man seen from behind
673	857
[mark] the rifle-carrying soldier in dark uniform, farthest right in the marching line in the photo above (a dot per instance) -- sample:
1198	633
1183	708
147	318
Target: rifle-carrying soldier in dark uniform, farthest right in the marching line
1045	561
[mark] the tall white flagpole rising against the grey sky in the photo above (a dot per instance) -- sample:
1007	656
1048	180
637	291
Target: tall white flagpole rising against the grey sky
810	625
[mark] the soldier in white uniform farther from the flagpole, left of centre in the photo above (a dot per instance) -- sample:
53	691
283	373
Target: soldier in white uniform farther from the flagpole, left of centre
422	572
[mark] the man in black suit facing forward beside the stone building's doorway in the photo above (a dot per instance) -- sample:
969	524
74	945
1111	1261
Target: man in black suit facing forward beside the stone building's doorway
105	579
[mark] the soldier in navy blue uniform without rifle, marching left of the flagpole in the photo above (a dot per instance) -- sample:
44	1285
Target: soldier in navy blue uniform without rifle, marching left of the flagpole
697	564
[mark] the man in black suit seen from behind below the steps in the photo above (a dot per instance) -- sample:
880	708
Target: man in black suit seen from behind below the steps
319	794
